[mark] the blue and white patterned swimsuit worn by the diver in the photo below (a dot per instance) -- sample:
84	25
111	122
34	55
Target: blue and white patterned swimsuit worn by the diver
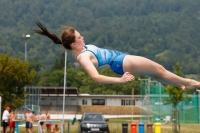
107	57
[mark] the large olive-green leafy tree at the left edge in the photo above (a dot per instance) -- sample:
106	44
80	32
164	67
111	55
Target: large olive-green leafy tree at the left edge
14	75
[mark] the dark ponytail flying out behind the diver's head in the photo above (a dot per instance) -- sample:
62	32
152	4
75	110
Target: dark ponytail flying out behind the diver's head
45	32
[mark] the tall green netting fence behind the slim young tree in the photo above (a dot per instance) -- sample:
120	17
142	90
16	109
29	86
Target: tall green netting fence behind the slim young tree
154	105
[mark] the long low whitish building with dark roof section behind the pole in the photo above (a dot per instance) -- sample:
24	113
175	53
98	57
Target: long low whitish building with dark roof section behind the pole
54	96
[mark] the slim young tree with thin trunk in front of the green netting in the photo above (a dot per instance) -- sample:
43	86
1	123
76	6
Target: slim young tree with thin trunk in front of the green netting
176	95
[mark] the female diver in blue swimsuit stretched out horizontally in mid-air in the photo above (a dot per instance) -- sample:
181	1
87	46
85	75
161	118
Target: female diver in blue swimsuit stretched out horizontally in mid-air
92	57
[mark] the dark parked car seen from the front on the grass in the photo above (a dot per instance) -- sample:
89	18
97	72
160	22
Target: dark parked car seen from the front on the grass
93	122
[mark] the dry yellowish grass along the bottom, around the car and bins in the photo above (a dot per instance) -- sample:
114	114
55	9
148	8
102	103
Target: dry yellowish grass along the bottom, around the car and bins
115	126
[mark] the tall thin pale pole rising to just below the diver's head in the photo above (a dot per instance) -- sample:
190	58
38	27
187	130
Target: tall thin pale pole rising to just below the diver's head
65	79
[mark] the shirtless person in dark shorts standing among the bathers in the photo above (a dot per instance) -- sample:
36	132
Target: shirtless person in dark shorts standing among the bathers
29	121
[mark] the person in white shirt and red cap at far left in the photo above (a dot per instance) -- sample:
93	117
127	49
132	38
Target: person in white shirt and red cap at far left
5	119
